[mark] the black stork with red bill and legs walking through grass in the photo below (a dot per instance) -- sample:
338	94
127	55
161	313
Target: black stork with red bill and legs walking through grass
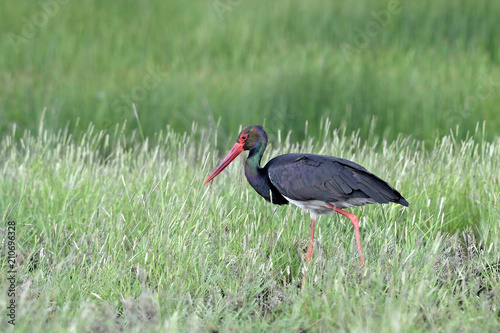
318	183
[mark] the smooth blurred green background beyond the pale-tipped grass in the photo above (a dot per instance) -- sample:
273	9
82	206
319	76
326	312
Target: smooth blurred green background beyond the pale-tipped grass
417	68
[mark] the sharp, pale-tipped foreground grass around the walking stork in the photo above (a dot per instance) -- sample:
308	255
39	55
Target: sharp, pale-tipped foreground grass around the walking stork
116	233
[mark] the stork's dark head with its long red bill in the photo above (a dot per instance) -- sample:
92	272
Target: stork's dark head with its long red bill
250	137
